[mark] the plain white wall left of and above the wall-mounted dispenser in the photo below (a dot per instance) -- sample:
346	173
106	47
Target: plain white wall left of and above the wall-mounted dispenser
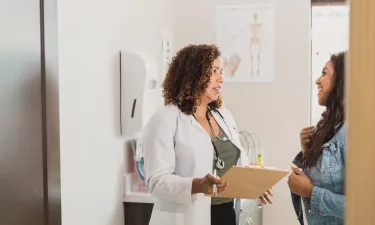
91	33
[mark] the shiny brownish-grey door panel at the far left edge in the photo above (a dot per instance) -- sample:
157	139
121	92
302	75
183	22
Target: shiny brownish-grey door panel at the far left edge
21	138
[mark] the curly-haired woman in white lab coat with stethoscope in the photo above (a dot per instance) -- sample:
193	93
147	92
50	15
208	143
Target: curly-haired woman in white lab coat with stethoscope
188	140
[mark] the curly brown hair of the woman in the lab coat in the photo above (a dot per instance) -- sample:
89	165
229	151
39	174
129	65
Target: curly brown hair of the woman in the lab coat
188	77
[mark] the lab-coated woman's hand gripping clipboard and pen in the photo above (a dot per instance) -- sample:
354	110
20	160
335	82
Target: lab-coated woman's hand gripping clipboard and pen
204	185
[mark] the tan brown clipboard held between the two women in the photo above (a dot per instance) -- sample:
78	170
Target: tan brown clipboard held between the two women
249	182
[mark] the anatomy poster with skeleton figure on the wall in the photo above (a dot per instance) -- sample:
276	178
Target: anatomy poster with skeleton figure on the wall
245	35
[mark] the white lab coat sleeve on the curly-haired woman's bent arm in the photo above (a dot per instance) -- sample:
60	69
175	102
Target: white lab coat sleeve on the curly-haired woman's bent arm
159	161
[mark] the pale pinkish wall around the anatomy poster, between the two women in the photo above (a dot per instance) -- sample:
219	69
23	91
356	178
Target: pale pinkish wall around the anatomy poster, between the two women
275	111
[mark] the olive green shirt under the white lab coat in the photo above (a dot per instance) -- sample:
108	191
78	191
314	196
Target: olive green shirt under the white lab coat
230	154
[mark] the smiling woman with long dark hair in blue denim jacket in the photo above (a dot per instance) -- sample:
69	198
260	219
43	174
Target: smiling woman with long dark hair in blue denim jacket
320	181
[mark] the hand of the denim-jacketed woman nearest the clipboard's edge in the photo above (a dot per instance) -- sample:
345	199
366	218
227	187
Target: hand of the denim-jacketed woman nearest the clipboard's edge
300	184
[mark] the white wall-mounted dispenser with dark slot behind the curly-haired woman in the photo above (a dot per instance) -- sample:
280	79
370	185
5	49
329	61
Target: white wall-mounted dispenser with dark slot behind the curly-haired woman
140	92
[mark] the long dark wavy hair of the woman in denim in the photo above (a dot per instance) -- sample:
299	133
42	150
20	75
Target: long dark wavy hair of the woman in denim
332	116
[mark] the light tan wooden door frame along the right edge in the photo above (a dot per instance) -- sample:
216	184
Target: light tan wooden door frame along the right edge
360	110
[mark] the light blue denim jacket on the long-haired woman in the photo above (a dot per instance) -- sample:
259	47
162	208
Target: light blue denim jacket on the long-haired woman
326	206
